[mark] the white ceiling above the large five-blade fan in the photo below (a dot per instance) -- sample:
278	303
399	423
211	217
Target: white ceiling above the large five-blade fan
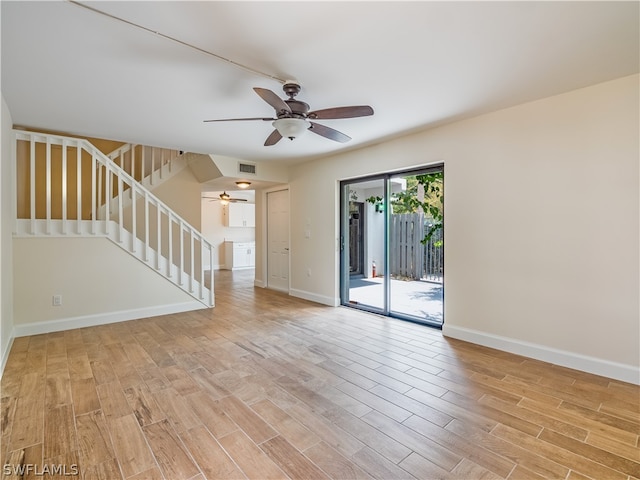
418	64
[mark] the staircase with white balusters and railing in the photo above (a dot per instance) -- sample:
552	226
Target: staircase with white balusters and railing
67	187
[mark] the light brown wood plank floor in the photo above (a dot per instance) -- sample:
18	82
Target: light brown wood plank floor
266	386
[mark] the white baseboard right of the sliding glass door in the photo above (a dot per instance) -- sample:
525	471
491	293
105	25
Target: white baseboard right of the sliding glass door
597	366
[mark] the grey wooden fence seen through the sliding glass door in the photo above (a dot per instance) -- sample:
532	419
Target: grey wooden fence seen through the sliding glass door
410	258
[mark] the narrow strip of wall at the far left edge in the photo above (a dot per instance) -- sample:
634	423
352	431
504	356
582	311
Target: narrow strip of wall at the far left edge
6	263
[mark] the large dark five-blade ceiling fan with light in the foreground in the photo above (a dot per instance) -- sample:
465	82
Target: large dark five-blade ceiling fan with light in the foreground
293	117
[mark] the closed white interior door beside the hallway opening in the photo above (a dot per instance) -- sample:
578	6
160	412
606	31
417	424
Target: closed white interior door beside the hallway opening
278	240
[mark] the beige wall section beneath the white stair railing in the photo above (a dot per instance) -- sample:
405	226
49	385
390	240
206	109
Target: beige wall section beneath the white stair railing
95	278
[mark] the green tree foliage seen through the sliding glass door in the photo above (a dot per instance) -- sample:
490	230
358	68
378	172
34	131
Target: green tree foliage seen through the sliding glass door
407	201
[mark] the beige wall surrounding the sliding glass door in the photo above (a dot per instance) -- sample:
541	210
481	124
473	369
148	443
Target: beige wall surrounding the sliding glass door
541	222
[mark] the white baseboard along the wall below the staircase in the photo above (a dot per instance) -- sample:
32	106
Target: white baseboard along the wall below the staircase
37	328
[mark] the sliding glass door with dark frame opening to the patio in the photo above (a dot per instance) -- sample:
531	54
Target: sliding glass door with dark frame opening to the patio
392	244
